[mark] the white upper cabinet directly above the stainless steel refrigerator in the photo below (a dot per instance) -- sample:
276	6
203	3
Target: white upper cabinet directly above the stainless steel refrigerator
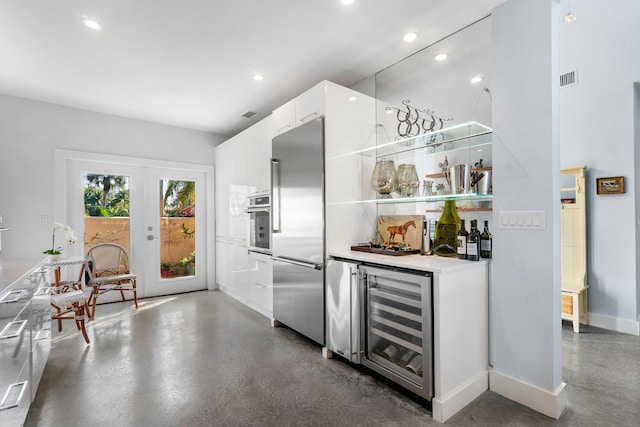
299	110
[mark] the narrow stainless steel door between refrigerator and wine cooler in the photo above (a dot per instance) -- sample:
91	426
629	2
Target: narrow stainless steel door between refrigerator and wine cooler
343	309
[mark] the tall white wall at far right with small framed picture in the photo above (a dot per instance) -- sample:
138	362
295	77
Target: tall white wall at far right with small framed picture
597	130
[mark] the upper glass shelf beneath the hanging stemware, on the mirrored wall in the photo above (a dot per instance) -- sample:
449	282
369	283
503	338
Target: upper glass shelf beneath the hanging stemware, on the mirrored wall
463	136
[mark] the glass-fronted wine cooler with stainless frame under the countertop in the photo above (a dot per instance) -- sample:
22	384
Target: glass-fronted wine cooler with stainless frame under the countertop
397	327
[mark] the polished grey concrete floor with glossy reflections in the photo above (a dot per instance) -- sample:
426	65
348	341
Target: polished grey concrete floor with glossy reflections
203	359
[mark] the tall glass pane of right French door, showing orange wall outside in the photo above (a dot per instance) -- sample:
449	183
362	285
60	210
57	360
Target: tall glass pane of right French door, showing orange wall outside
177	228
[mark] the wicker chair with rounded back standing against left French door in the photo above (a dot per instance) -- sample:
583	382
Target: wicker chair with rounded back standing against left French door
109	271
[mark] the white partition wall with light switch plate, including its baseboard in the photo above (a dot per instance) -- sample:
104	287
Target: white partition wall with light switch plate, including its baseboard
525	327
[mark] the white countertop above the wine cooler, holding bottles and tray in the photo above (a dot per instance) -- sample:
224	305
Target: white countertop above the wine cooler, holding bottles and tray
433	263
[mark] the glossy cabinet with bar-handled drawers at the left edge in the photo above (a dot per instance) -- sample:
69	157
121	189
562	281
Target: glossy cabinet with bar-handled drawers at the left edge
25	339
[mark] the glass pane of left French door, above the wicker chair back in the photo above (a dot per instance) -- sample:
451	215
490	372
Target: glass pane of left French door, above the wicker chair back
106	210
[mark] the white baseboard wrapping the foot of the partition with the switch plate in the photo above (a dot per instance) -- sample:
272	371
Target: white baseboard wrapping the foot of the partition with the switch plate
548	403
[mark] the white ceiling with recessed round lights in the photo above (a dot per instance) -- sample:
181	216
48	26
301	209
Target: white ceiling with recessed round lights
190	63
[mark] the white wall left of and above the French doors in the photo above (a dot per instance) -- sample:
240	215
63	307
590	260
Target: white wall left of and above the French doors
30	131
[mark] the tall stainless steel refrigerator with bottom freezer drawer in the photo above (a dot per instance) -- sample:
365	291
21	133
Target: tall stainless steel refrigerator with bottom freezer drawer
297	192
